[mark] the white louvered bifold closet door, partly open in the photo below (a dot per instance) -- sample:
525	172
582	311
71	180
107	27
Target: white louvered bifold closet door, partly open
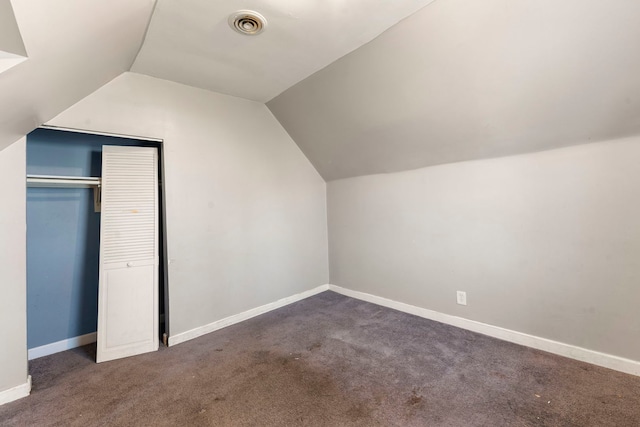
128	288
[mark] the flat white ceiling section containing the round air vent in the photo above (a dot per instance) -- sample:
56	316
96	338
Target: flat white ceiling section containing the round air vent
190	42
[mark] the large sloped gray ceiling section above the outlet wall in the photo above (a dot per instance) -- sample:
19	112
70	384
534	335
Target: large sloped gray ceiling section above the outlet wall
463	80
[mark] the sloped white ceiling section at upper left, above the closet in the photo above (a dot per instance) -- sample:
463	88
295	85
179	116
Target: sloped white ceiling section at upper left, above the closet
74	47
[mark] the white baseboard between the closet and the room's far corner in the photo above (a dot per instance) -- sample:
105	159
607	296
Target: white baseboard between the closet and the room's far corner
236	318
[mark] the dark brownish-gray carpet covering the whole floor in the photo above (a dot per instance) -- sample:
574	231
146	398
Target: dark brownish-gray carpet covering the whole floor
328	361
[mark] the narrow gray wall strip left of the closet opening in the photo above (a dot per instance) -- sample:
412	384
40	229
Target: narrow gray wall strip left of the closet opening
13	283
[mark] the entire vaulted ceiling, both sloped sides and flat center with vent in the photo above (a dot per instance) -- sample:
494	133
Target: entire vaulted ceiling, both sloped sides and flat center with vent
362	86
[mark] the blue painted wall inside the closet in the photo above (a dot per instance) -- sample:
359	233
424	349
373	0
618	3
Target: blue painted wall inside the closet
63	233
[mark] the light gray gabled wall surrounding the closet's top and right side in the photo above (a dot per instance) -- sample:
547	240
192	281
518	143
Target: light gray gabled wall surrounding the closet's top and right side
246	211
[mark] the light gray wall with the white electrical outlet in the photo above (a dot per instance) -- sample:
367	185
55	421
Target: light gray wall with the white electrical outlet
546	244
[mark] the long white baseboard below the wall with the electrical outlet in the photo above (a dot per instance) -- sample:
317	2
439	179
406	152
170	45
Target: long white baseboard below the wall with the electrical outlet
578	353
